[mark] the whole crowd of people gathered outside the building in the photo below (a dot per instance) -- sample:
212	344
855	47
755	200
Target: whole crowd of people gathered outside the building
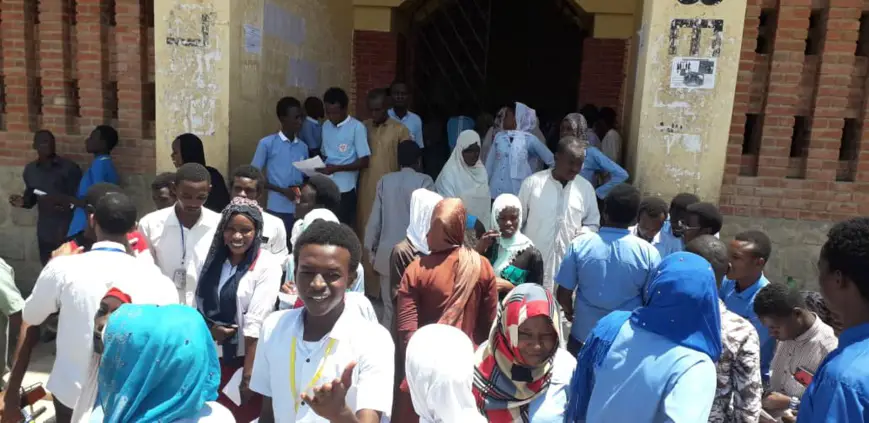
521	283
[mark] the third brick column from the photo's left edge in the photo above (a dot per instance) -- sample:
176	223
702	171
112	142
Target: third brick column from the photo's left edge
91	63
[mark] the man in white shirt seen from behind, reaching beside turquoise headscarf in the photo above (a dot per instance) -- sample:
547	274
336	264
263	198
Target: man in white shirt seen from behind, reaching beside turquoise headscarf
74	286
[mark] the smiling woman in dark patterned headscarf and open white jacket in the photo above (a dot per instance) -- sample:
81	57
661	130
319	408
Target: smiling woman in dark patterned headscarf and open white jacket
237	289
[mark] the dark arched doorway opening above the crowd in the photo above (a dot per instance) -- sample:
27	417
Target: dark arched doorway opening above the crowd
472	56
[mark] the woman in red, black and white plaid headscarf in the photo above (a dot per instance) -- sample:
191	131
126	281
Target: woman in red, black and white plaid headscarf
522	374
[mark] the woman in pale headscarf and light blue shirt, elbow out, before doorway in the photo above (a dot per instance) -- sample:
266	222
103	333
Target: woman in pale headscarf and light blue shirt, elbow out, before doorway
515	150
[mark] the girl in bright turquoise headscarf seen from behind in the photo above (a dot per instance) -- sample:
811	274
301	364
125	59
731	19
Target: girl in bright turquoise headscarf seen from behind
159	364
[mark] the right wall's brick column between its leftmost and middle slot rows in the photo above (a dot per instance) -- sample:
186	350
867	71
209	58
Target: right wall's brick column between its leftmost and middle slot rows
786	66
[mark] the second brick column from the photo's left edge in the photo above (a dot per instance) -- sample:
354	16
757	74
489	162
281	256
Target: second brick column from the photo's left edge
54	60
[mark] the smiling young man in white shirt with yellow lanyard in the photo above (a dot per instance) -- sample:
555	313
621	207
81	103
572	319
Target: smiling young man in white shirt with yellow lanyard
341	366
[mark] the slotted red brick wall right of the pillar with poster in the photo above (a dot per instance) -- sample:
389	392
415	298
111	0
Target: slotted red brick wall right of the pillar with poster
825	89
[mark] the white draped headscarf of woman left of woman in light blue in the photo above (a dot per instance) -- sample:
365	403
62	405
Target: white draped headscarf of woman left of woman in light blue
468	183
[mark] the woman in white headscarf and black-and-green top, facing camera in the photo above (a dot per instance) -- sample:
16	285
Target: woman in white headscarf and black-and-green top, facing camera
512	254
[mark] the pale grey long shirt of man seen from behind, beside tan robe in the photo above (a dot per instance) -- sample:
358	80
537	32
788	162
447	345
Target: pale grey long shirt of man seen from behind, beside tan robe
390	215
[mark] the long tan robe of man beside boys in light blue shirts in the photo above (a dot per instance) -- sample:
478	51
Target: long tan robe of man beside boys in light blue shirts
383	141
